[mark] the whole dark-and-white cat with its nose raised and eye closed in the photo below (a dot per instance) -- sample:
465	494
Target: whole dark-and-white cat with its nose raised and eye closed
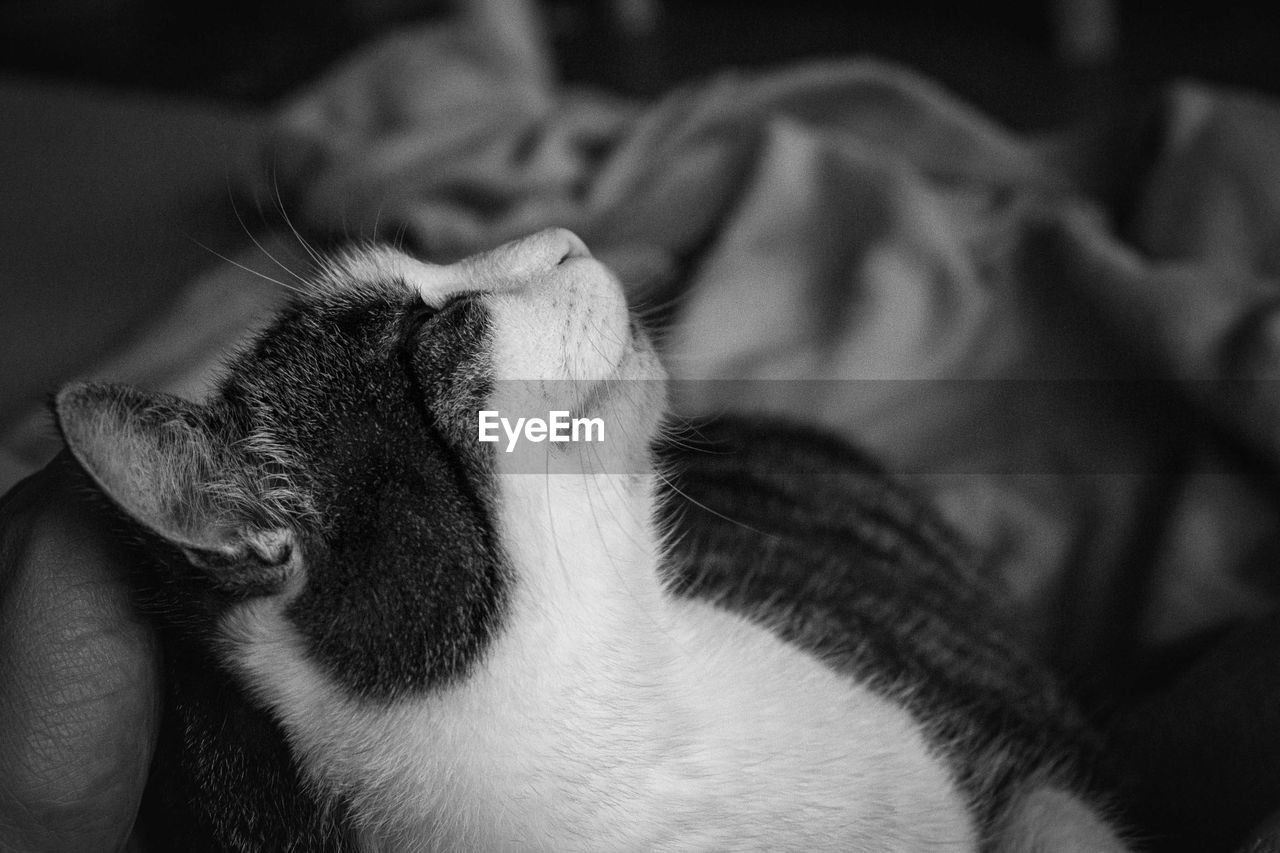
385	635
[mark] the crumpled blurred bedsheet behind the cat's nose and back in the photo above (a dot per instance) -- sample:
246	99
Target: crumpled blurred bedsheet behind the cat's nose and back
1068	341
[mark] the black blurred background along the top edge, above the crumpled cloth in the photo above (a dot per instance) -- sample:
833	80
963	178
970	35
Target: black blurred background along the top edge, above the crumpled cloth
1008	58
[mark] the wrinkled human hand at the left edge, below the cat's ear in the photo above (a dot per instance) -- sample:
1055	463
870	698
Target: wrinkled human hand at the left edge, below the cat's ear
80	679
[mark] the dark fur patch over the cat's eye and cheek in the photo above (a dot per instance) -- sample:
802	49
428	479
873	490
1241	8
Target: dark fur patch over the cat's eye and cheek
404	580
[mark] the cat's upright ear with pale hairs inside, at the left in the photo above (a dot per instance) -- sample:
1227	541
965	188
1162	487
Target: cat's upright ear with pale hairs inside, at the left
166	464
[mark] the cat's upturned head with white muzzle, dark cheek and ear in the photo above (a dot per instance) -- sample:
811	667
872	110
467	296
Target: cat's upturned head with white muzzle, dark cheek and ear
340	464
